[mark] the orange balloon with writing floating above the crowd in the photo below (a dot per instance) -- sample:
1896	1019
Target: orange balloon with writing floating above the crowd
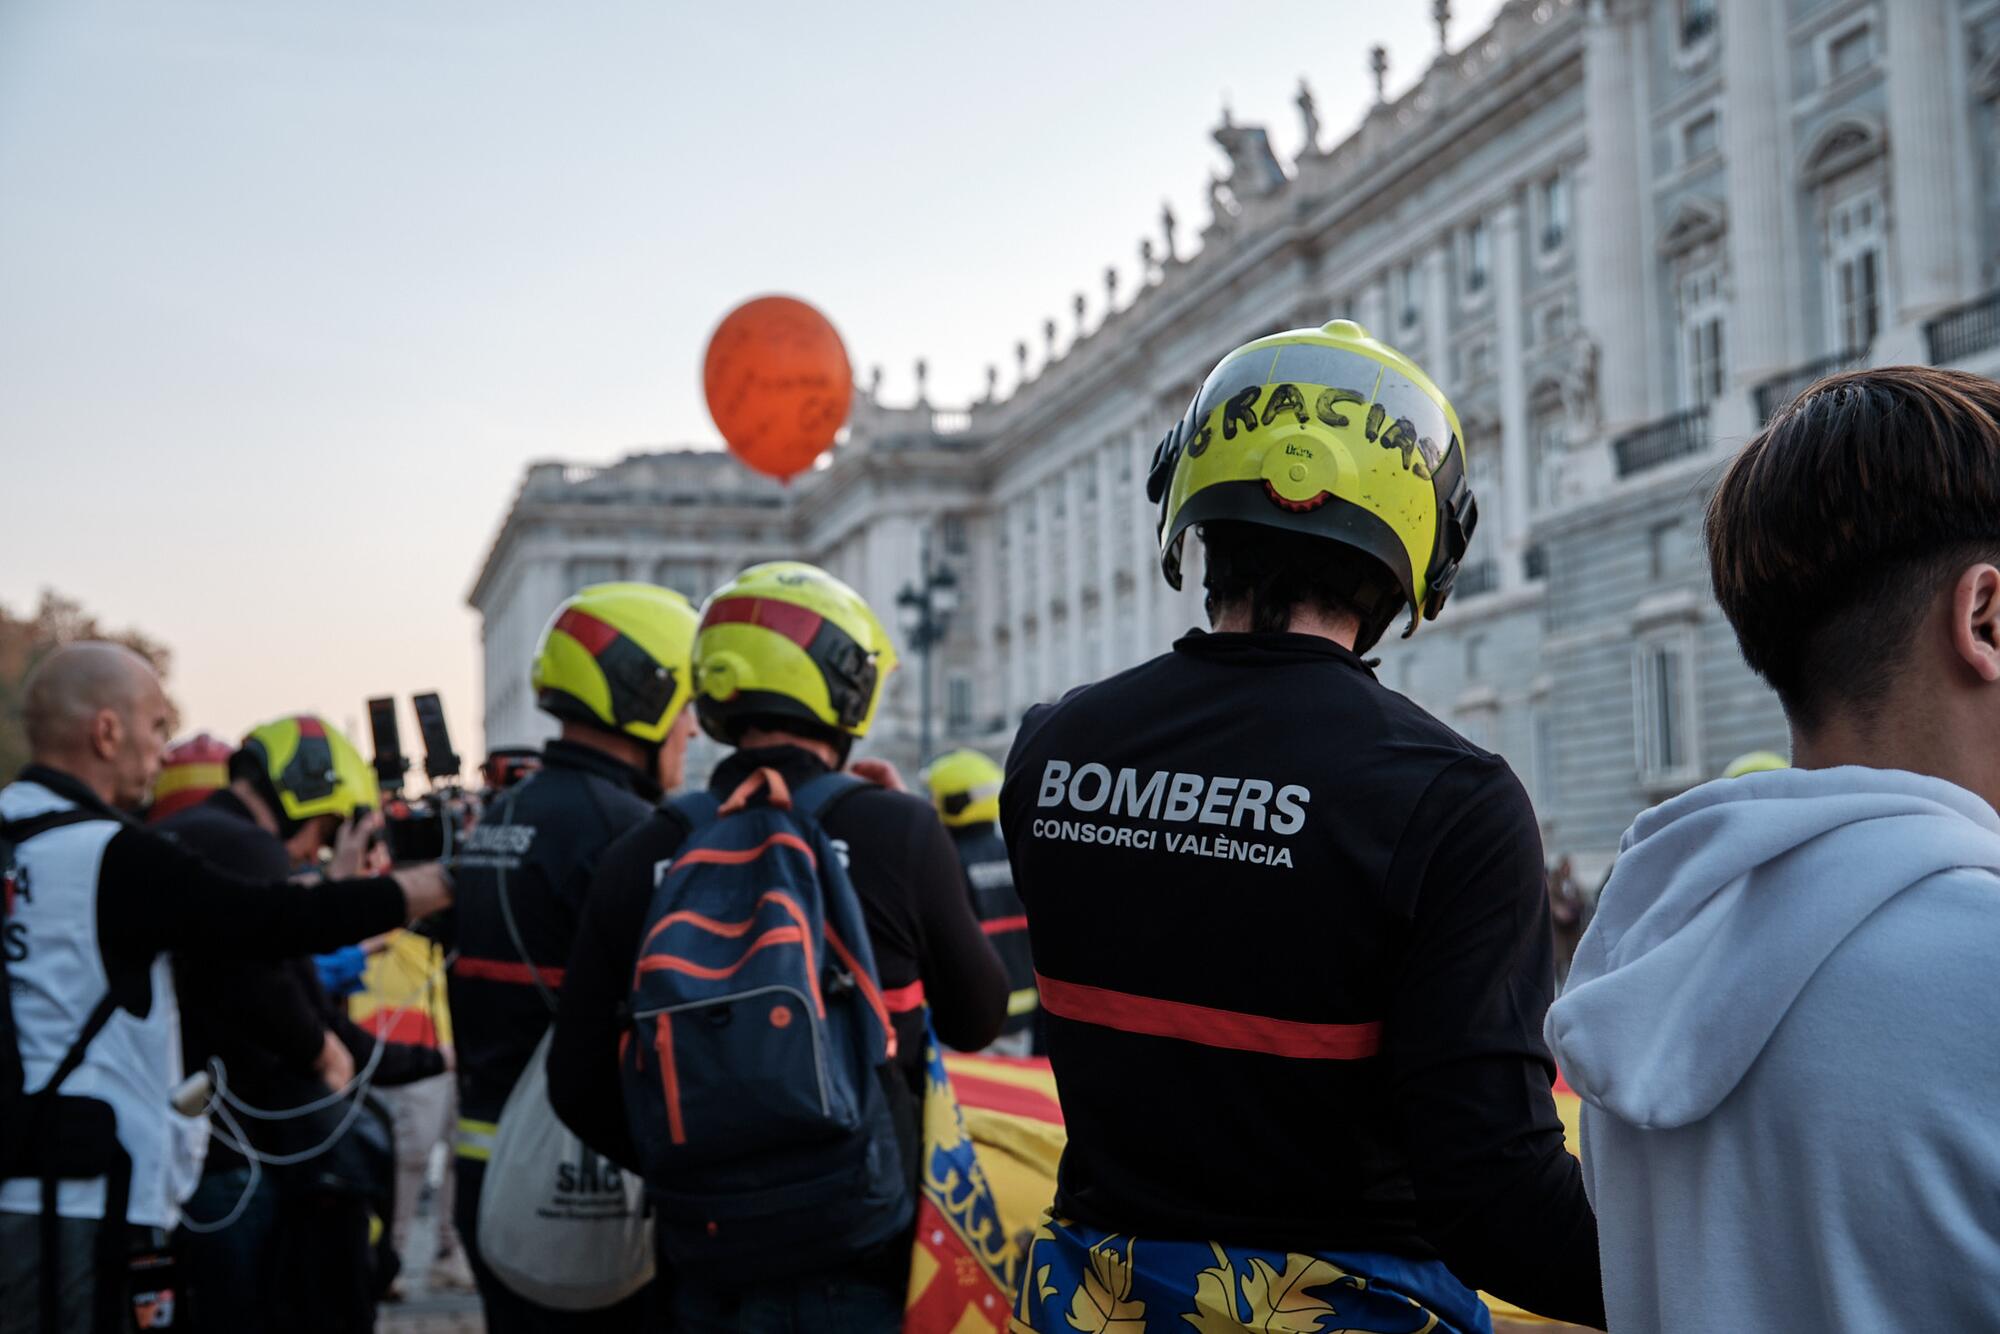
779	383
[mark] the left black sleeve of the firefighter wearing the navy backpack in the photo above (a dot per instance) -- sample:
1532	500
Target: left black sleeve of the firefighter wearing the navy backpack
583	1059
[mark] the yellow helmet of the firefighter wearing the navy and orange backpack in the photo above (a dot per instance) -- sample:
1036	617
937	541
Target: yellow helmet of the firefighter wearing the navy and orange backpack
789	641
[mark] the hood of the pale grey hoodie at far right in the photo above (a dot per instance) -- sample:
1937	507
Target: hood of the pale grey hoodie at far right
1721	909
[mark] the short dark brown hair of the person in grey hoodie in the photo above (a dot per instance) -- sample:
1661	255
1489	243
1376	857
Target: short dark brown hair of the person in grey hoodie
1835	531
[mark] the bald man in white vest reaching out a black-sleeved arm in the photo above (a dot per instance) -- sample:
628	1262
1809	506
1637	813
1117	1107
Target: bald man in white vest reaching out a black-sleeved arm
95	905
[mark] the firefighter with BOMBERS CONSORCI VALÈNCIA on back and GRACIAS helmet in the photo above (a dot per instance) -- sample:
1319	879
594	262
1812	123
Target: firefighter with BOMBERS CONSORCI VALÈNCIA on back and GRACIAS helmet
1291	931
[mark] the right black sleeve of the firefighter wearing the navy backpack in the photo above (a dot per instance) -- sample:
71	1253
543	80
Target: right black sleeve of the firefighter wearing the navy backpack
963	977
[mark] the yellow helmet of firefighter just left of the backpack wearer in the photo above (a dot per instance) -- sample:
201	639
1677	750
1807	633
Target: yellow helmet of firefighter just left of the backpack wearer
617	657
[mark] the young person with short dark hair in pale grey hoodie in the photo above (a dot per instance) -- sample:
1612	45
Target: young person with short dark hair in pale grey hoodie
1783	1021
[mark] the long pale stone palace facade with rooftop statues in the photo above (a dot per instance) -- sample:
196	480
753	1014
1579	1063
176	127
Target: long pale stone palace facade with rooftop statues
1617	233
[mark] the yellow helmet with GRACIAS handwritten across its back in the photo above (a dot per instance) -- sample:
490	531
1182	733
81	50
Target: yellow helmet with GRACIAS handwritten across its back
1331	433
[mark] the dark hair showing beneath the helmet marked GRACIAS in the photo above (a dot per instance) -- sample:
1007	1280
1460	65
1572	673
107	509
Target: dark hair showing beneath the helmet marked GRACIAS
1273	571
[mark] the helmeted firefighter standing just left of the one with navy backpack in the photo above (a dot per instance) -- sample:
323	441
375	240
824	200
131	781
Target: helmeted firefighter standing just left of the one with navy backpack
613	669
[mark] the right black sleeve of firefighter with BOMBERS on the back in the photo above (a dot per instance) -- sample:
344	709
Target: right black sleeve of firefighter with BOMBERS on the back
1501	1197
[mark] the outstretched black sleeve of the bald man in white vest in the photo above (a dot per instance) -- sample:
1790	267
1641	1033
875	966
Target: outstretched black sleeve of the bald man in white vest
155	895
